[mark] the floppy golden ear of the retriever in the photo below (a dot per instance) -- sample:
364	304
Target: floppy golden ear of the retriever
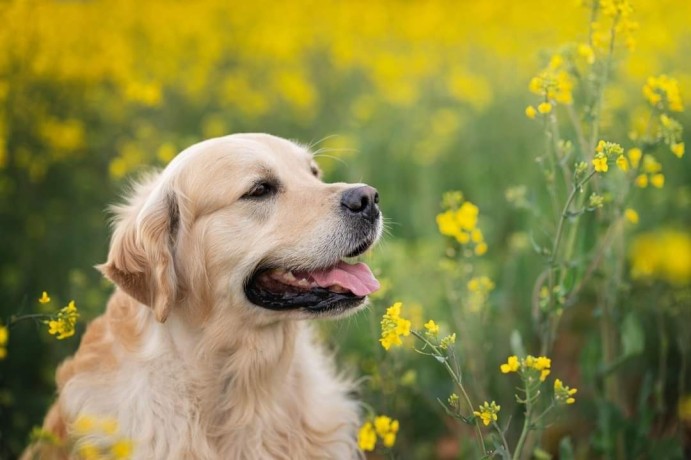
140	260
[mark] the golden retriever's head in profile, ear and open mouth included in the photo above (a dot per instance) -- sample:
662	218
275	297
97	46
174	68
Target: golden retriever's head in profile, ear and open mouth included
245	221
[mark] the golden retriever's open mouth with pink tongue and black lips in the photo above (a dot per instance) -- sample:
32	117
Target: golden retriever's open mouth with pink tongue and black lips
338	287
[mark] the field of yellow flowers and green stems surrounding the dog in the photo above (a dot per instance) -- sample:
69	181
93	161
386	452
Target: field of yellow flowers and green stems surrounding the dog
532	165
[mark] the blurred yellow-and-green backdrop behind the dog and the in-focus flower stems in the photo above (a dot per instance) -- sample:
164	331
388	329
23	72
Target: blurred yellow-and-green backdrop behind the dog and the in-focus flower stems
413	97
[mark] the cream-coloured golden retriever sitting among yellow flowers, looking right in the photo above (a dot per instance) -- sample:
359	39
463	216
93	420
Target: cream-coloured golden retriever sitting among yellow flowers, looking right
202	352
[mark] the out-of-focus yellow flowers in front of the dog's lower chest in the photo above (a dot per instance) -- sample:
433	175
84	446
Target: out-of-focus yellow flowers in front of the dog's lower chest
97	438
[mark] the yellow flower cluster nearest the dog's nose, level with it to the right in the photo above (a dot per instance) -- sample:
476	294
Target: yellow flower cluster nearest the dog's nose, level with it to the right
460	220
